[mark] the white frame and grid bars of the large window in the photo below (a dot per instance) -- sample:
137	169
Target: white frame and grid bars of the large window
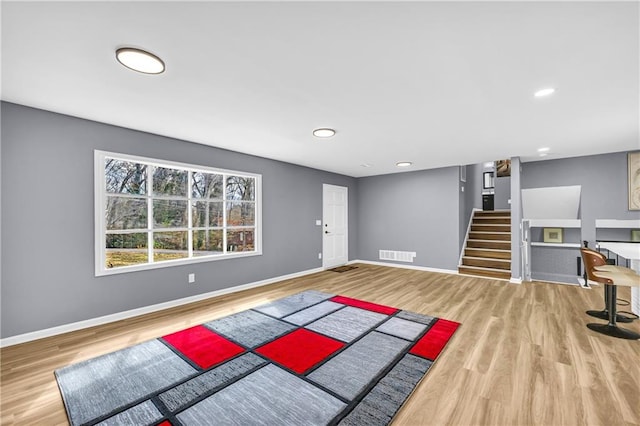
100	193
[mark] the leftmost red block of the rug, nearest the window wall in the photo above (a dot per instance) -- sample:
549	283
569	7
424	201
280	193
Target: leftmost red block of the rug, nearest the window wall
203	346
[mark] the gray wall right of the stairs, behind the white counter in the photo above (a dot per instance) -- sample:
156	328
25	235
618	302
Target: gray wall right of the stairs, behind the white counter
604	195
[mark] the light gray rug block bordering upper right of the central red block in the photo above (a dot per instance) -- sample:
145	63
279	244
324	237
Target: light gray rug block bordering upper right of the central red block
347	324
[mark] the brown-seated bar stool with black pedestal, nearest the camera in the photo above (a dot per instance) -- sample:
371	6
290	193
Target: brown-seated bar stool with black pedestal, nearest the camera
617	276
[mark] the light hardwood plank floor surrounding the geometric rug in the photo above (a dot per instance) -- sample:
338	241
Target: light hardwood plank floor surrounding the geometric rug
522	356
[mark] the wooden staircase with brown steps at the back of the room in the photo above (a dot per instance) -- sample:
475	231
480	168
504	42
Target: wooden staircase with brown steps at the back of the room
488	249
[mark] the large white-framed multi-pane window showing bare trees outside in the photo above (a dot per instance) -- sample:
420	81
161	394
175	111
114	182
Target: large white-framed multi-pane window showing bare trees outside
153	213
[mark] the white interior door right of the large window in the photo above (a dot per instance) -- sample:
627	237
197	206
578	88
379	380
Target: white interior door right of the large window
335	214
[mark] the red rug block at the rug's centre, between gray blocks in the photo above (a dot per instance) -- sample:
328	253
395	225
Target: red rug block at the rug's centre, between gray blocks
300	350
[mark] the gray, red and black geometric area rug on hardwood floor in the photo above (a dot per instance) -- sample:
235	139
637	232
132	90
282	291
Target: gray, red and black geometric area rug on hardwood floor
312	358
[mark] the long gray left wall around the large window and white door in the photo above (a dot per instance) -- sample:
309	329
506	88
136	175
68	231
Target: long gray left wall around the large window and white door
48	215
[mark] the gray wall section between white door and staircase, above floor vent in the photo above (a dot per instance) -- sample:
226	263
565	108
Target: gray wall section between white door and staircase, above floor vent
413	211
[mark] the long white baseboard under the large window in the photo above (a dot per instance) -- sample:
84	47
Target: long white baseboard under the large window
66	328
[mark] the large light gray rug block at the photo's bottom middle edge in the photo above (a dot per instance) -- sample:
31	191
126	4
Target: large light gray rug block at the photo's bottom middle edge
249	401
